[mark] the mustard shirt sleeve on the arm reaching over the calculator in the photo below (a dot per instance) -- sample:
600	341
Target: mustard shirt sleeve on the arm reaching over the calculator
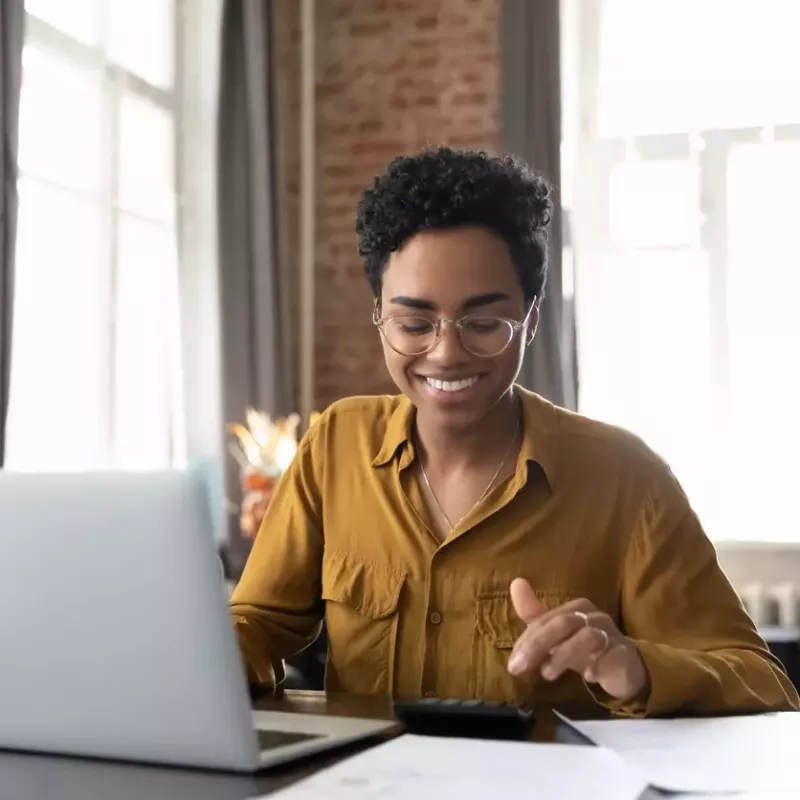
702	651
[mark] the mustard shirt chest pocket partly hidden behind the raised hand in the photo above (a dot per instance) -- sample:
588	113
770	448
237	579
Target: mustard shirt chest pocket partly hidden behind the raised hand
497	629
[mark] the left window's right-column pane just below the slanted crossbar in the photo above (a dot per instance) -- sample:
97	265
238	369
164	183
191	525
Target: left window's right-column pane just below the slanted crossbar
147	179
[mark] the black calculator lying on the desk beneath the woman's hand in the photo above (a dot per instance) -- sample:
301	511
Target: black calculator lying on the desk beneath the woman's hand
472	719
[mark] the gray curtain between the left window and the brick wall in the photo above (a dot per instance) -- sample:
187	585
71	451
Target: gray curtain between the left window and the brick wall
256	367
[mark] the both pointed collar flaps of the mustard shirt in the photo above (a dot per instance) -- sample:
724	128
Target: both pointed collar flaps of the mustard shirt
540	443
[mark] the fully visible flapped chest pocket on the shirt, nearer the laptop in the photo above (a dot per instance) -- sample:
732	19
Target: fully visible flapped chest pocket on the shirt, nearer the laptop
361	617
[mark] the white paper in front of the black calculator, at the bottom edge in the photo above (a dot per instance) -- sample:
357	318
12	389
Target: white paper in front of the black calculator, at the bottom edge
431	768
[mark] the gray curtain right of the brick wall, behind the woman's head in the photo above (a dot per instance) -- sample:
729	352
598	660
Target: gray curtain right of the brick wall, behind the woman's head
531	128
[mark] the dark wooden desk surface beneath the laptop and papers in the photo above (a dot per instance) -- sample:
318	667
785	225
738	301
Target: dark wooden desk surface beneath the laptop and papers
38	777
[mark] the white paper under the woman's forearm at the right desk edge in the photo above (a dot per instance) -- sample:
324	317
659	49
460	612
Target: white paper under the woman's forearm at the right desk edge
720	754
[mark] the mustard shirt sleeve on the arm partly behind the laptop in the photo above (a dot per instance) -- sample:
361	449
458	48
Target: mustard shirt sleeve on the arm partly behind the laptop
276	607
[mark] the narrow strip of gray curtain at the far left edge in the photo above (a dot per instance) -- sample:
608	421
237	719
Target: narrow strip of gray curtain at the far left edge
12	35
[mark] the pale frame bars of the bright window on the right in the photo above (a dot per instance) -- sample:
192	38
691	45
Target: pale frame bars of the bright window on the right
596	157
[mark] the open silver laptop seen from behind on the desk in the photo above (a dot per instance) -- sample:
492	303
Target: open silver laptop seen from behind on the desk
115	637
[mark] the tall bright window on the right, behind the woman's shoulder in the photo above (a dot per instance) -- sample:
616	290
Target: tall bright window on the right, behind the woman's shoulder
686	163
